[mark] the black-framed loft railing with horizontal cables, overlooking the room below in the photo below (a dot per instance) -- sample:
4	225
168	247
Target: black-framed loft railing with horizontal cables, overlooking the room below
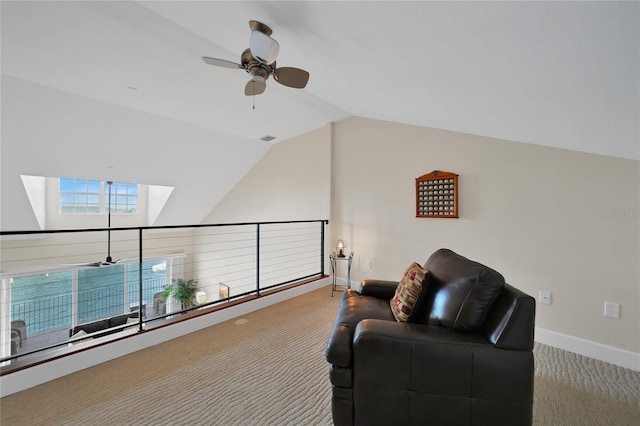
55	281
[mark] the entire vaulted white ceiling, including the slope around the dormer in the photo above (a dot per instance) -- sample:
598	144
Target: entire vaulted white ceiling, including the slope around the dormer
563	74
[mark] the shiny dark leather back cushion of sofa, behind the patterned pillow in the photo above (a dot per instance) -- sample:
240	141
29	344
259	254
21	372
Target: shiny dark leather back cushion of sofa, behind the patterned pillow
461	292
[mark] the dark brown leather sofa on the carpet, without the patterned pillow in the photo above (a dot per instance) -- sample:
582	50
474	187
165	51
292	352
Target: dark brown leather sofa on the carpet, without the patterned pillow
465	357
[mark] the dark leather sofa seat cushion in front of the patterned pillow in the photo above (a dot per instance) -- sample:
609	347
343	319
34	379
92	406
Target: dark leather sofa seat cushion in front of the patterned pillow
353	308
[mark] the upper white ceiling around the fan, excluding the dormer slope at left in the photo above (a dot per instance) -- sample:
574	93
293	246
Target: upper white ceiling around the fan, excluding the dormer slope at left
562	74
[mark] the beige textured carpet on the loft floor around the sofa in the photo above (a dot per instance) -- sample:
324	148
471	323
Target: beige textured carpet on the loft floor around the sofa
268	368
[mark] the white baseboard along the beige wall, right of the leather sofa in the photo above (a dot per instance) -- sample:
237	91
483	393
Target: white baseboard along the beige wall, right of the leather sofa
610	354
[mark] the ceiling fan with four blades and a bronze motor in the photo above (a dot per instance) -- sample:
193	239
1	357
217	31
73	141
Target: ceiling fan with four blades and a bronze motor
259	61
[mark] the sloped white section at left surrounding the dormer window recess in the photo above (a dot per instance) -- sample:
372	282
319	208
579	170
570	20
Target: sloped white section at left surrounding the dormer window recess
66	135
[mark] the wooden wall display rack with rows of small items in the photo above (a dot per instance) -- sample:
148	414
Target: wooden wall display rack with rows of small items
437	195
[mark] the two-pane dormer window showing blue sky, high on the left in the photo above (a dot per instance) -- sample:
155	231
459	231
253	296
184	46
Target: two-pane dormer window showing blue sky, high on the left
83	196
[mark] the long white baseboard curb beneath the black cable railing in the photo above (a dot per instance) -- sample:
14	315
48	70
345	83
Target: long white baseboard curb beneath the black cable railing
38	374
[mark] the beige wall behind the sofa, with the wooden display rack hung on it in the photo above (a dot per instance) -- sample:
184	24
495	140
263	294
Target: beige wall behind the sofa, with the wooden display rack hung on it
547	219
